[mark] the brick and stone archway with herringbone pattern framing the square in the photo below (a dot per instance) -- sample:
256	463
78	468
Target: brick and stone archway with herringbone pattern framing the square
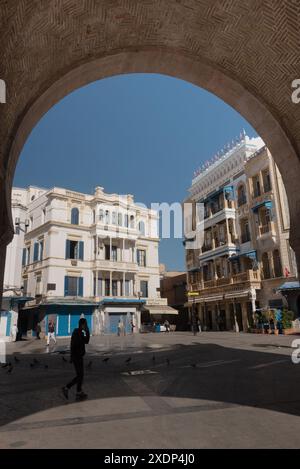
244	52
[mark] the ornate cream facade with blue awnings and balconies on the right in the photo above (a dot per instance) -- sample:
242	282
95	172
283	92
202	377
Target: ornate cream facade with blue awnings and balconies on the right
246	254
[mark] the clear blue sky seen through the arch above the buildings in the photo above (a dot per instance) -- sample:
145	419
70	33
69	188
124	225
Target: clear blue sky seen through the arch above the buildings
140	134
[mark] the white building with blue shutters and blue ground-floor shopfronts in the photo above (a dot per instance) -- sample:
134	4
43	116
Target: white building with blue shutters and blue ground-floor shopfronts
92	255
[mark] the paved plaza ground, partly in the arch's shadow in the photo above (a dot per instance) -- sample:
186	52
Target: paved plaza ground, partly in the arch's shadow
213	390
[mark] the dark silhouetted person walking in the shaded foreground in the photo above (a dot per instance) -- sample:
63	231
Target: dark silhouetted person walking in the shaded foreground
80	337
